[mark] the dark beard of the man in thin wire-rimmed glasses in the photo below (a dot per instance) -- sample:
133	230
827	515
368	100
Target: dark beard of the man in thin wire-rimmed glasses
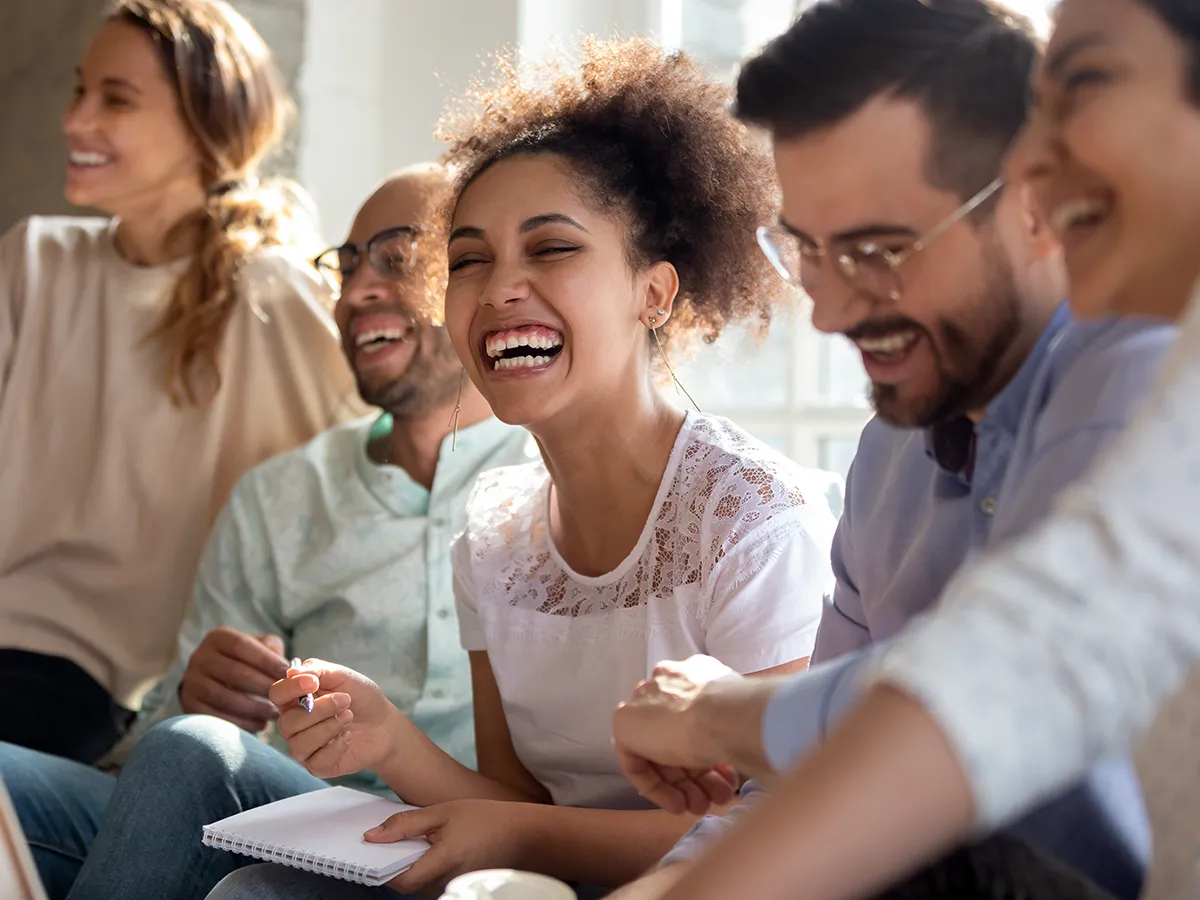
1000	308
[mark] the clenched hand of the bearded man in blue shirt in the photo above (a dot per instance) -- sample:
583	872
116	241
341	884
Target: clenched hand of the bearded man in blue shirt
687	730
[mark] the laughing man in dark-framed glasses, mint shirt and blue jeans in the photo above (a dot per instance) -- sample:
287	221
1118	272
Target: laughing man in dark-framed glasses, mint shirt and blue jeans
337	550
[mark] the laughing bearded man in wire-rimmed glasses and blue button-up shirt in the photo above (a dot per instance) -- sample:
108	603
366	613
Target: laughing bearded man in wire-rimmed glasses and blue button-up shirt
890	123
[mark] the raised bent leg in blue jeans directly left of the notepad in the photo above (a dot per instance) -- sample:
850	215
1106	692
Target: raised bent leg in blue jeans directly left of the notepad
184	775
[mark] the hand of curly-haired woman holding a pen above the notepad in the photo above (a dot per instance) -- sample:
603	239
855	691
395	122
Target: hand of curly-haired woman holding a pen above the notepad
351	727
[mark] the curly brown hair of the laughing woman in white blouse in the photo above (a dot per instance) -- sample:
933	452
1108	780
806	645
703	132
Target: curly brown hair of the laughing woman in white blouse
651	137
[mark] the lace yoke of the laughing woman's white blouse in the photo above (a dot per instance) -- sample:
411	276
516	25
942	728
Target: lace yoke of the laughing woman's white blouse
721	487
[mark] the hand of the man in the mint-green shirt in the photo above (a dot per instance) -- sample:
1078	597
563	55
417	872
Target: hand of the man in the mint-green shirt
230	675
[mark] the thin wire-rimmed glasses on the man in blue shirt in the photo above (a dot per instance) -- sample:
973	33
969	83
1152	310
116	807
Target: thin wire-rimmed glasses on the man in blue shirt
867	266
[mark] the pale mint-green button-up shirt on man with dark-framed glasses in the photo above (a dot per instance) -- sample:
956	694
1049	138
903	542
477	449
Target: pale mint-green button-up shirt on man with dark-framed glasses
350	561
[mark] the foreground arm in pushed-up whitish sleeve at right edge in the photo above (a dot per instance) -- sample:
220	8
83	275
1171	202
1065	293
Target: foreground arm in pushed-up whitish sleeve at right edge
1051	674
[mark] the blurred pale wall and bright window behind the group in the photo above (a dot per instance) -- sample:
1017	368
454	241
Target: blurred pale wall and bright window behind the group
371	79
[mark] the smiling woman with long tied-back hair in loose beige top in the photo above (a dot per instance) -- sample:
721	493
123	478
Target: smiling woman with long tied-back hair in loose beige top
147	361
